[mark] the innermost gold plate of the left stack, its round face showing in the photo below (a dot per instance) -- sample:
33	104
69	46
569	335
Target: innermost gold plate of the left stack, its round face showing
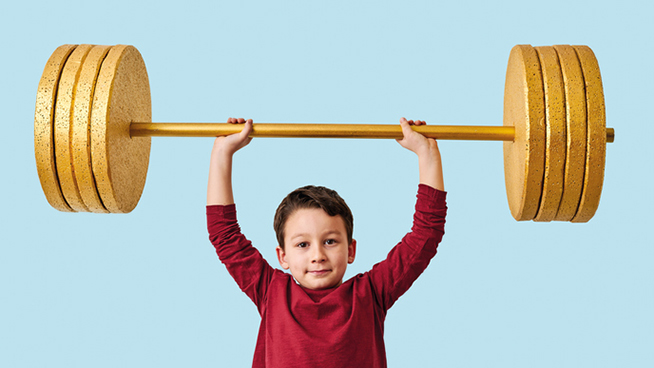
122	96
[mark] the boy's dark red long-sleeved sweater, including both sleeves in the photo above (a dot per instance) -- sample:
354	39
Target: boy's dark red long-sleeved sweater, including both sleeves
339	327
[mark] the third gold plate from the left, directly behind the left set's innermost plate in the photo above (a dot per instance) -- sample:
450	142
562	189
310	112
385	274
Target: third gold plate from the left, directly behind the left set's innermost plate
81	138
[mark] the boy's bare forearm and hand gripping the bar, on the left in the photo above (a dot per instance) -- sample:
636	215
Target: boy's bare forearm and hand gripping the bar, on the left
219	189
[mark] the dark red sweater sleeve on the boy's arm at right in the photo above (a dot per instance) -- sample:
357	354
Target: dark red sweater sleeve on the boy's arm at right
408	259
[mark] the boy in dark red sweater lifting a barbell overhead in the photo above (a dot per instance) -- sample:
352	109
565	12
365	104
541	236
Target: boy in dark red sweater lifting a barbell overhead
311	318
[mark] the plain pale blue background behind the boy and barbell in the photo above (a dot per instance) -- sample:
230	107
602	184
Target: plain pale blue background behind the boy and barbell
146	289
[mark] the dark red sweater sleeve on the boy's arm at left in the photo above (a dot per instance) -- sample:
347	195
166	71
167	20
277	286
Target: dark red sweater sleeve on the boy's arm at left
244	262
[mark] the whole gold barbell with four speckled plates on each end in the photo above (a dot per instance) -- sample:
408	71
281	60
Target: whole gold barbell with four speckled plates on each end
92	129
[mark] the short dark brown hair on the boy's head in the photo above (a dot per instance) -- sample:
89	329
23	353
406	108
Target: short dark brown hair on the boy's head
312	197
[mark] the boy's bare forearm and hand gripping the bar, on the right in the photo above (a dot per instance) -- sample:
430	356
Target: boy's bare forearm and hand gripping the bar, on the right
429	157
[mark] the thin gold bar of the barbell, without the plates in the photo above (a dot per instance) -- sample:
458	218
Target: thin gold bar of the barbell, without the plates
307	130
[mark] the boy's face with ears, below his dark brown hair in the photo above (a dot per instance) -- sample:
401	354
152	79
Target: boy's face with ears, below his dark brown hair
316	248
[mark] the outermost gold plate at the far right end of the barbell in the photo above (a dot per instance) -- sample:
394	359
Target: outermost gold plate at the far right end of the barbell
596	135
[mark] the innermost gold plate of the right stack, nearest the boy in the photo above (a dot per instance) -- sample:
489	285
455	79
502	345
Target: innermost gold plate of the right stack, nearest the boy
524	108
